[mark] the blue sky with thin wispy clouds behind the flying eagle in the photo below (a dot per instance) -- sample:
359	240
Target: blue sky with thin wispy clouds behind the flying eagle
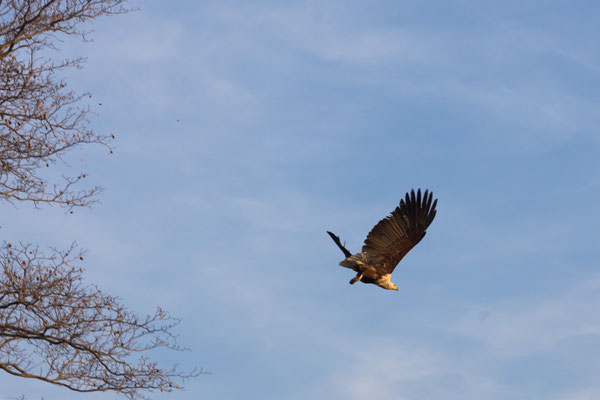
245	130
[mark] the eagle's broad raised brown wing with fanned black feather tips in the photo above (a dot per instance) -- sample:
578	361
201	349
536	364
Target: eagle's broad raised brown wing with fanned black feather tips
394	236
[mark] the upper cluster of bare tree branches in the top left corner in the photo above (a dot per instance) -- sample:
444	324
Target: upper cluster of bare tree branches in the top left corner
40	119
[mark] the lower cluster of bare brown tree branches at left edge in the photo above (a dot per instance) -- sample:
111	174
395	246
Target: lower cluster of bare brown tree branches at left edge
56	329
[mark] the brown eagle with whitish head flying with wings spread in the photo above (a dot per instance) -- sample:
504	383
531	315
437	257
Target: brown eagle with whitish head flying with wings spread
390	240
